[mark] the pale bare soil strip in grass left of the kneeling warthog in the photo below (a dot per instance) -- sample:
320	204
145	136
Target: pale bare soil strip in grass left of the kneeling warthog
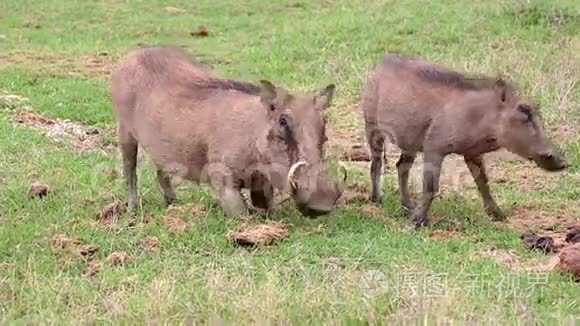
81	137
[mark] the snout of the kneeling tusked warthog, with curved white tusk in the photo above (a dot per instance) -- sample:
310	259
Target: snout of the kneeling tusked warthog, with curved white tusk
314	192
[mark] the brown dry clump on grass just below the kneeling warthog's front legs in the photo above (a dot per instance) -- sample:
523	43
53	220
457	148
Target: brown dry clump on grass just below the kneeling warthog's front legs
264	234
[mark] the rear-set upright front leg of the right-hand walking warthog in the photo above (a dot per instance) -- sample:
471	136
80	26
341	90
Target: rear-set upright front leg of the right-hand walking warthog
431	173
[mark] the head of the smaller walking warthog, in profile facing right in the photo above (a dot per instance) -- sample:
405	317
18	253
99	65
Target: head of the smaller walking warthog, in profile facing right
521	131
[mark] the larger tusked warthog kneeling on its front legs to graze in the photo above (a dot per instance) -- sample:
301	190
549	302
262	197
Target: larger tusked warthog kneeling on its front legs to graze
230	134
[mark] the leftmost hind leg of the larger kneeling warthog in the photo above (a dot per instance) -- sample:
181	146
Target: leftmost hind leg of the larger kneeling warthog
129	148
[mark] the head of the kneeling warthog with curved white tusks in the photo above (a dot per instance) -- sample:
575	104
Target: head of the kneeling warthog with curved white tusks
296	139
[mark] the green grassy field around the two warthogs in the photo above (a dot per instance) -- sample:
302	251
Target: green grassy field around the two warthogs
362	264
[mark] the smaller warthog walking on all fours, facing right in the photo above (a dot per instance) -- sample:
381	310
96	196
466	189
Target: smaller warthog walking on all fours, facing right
423	107
